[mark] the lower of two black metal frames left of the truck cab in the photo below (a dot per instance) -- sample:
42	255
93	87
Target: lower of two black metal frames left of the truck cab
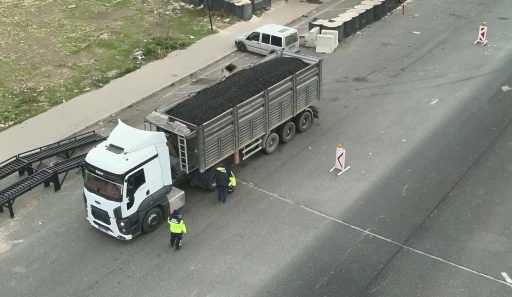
45	176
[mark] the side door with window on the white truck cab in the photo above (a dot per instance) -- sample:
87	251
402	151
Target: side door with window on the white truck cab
136	191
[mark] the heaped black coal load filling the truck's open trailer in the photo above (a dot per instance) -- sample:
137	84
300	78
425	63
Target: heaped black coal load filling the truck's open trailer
235	89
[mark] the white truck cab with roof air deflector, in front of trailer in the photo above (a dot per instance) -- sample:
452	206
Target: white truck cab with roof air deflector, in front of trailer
128	184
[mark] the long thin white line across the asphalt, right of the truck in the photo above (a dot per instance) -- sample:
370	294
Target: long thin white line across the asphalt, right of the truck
289	201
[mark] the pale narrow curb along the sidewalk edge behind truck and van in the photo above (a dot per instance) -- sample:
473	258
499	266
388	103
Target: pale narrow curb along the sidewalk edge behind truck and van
180	80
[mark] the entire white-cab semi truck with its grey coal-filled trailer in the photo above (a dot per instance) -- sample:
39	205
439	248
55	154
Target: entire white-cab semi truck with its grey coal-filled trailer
129	179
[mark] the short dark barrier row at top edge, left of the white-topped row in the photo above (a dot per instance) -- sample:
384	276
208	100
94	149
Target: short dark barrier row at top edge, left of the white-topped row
242	9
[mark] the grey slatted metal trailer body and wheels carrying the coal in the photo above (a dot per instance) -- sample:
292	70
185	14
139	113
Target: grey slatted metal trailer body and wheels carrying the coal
259	123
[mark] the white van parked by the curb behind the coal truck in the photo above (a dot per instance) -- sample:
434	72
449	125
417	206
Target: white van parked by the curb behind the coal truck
268	39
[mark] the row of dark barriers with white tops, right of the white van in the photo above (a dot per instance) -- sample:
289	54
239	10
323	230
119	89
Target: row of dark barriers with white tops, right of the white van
357	18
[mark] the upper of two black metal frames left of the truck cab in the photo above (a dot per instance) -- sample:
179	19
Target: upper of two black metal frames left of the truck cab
64	148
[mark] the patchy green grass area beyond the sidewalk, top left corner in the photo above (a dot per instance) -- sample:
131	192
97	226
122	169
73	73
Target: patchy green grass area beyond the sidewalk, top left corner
53	51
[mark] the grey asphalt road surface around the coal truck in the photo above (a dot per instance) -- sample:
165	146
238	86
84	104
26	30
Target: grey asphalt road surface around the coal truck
422	212
